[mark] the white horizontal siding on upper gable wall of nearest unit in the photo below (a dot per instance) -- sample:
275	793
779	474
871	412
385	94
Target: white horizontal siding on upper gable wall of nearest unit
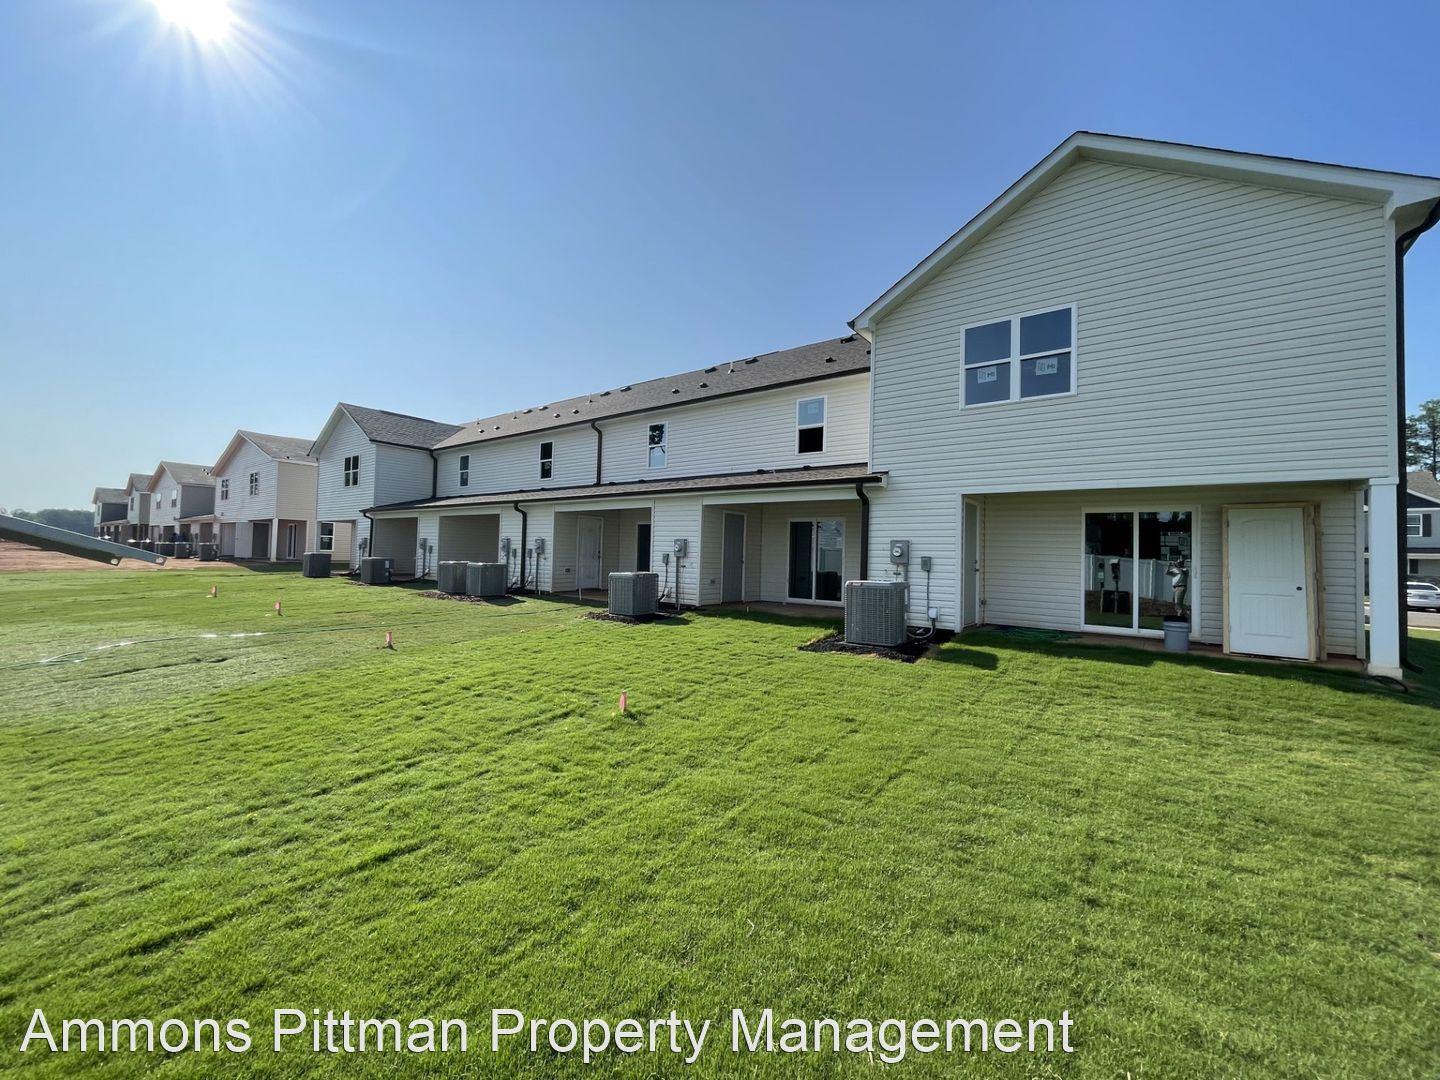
1226	333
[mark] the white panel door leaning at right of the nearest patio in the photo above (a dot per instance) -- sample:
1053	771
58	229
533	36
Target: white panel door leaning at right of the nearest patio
1268	604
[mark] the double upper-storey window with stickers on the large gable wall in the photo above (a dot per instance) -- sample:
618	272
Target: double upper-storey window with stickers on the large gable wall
1023	356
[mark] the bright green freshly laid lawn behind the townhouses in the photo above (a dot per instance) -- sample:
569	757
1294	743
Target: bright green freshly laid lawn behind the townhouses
1219	869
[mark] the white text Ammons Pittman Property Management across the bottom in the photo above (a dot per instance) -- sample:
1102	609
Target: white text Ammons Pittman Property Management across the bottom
513	1032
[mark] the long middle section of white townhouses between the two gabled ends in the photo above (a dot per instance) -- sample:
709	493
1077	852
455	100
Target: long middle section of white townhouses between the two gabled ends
757	469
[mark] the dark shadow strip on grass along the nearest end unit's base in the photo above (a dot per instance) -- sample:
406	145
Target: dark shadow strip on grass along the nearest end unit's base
1425	689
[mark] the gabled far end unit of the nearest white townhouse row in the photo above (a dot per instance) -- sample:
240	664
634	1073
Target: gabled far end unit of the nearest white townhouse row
368	457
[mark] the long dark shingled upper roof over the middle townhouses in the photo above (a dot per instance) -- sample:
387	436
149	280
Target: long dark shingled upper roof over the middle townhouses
765	372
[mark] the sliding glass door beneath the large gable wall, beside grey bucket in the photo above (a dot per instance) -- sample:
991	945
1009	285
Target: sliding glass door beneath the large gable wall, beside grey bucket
1137	572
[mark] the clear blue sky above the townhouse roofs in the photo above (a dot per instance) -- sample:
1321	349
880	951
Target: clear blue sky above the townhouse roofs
453	210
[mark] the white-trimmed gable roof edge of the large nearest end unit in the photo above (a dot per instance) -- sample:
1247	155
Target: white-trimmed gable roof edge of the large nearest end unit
1406	197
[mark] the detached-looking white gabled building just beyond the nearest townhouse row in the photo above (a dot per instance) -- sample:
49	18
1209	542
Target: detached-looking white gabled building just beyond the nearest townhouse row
264	498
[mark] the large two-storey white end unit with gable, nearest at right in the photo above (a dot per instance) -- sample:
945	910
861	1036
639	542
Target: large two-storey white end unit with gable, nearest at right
1154	381
